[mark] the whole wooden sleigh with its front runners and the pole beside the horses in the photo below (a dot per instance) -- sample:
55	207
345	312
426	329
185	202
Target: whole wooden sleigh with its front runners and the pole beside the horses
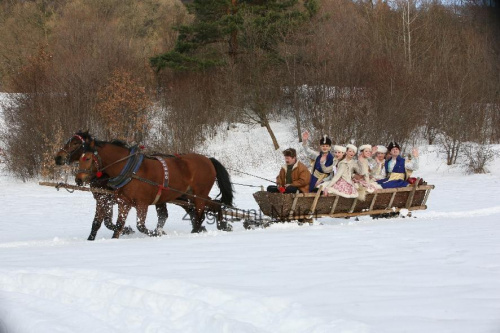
303	207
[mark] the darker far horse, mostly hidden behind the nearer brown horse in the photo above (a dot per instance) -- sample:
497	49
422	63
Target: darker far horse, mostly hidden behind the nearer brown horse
71	152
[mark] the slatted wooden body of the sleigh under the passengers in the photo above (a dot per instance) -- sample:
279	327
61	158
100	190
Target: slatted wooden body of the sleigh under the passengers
305	206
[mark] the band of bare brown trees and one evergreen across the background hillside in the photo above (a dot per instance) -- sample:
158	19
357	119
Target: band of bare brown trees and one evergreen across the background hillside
172	75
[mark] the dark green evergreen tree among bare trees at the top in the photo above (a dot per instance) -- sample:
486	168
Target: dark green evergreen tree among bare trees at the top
221	28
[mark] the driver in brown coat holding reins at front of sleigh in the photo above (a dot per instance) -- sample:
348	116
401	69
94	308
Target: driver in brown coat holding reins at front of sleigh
294	175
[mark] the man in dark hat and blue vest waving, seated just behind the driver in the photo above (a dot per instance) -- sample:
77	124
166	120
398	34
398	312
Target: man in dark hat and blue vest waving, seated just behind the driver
323	161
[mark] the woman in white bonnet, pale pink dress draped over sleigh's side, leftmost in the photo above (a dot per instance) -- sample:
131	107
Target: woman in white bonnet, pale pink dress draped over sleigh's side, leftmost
342	183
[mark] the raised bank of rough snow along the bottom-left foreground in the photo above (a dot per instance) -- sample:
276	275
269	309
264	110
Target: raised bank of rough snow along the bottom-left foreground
114	303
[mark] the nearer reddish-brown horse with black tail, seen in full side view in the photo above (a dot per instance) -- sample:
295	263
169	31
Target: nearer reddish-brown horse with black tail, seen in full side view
187	177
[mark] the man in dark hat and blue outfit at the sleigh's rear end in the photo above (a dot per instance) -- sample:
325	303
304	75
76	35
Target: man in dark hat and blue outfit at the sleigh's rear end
397	167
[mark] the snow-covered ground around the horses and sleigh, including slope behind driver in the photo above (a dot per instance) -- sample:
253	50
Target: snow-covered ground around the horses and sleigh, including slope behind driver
438	272
